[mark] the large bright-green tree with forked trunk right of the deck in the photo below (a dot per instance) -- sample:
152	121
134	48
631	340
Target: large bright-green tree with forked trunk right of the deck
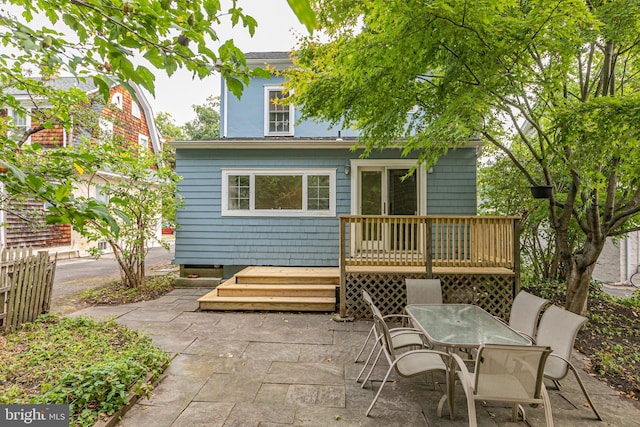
559	77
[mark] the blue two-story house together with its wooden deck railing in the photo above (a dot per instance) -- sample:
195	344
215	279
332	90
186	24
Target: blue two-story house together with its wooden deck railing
277	191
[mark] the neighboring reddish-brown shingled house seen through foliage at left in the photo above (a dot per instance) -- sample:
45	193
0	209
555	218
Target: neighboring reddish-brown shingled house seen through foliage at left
123	116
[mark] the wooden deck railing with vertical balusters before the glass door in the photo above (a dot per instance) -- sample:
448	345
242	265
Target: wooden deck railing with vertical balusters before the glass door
429	241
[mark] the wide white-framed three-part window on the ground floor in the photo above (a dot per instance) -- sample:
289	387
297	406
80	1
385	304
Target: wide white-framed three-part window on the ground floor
279	192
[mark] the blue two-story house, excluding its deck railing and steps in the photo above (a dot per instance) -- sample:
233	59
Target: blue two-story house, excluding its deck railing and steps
270	190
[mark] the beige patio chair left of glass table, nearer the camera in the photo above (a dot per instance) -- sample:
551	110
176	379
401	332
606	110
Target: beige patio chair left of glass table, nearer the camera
409	364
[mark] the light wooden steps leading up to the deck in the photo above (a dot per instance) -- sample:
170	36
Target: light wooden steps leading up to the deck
276	289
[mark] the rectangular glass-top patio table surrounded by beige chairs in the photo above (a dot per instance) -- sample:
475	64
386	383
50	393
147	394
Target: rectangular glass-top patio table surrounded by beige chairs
456	326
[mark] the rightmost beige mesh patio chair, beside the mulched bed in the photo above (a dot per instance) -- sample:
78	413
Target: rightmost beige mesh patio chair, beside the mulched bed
558	329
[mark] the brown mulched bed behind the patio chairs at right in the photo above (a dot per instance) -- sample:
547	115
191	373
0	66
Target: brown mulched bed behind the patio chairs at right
611	337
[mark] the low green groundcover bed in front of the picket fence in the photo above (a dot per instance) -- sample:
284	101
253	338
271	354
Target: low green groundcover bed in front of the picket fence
88	364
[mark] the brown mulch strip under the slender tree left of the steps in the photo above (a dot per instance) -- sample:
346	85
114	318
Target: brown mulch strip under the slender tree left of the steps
118	293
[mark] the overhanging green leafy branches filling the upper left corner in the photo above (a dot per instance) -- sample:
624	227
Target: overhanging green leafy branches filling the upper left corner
103	42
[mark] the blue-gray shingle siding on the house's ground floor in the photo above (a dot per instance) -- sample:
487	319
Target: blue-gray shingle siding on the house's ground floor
204	237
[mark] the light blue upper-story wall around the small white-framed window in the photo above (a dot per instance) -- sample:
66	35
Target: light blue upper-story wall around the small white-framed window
245	116
